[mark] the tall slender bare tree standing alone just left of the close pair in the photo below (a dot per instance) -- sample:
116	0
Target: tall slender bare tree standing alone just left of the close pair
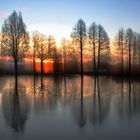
79	33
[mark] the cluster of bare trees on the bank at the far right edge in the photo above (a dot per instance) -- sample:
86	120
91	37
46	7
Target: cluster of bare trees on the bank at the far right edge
128	48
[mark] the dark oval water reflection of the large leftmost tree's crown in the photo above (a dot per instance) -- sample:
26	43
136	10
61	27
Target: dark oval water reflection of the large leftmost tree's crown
15	105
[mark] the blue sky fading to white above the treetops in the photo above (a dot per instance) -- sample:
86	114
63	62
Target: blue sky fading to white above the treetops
58	17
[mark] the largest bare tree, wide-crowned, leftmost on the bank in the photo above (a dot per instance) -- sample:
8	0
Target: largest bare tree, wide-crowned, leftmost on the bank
14	38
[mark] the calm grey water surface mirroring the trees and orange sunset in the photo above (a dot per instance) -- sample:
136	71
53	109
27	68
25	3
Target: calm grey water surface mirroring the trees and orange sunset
61	108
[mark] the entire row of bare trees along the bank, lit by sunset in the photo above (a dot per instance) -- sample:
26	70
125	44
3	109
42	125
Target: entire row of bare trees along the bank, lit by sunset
88	51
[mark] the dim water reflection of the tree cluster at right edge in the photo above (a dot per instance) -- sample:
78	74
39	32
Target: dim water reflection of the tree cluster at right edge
128	103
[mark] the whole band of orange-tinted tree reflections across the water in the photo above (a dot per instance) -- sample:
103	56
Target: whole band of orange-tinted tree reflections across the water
86	99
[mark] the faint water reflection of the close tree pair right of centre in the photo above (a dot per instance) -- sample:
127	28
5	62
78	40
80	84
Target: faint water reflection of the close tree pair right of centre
100	102
